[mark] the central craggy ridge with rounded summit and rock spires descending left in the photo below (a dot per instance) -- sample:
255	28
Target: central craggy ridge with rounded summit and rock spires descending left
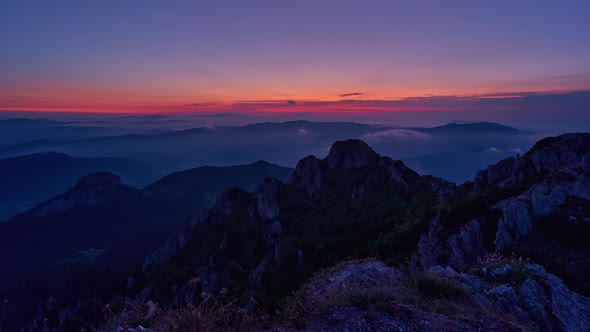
259	239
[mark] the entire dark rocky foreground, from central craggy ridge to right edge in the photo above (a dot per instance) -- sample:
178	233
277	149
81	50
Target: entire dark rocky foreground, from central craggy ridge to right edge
506	252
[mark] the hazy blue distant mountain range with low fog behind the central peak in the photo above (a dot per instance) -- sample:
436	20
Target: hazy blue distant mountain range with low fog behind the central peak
285	143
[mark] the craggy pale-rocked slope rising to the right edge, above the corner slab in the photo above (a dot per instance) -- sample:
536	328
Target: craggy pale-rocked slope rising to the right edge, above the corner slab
522	197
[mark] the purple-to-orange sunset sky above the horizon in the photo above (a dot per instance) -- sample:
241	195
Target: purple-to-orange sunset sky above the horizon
178	56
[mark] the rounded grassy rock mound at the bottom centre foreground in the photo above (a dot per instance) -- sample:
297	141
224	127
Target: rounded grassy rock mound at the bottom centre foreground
370	296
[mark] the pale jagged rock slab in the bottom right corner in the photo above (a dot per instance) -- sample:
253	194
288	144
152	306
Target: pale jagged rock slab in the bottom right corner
540	299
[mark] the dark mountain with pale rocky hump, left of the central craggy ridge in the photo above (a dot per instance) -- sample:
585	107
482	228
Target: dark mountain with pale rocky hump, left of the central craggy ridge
112	223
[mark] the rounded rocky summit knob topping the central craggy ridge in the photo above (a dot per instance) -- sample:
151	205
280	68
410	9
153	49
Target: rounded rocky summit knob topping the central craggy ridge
350	154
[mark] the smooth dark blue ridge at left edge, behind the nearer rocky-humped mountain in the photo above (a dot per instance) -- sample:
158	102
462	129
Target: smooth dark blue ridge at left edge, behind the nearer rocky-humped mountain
30	179
